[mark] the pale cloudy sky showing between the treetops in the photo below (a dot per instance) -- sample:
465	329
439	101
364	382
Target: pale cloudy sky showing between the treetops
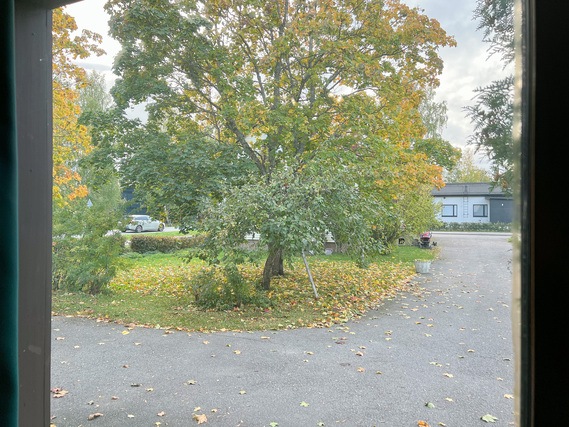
466	66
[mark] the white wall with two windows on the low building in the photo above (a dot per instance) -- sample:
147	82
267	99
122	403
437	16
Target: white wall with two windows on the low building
461	208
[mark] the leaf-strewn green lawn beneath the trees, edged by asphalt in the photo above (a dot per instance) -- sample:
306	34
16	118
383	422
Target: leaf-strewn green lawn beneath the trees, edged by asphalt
150	290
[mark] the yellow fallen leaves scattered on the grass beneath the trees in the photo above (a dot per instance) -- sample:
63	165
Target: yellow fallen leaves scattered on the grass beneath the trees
344	290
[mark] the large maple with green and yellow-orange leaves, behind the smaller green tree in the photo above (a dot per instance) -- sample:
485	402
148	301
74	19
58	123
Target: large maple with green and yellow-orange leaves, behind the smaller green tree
296	86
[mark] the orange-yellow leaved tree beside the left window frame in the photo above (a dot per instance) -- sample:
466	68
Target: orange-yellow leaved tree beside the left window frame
70	139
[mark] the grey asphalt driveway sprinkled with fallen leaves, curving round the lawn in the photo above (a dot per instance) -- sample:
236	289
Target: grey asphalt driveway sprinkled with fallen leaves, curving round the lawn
447	343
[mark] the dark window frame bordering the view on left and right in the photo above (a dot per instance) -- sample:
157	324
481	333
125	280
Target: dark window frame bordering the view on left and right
543	391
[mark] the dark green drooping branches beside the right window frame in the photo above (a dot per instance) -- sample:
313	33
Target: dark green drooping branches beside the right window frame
492	114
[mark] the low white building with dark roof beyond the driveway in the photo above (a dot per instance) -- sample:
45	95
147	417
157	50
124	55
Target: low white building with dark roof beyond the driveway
473	202
